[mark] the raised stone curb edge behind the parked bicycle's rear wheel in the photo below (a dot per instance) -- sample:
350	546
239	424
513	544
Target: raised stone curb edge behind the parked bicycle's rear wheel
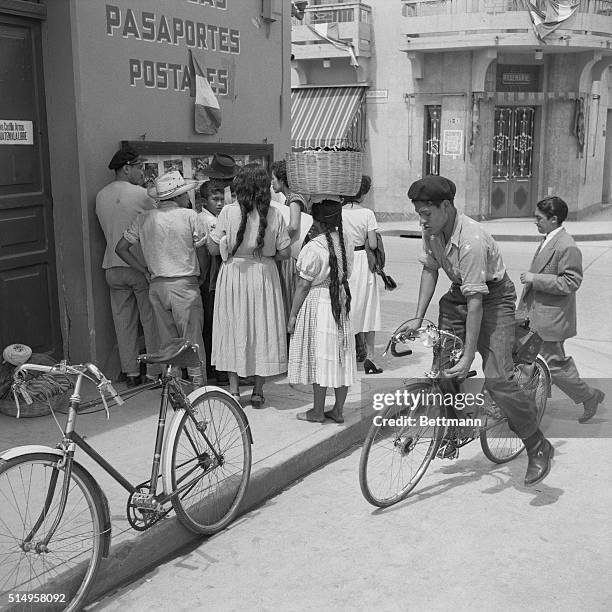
130	559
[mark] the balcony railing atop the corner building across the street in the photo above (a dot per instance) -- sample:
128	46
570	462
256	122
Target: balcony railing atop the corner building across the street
425	8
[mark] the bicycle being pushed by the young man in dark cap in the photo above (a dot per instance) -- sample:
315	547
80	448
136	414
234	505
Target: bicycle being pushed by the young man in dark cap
404	439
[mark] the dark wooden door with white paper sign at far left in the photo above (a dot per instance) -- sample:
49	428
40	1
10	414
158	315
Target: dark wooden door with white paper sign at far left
28	285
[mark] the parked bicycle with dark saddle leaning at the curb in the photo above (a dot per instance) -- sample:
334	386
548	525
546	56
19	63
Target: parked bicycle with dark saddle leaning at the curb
55	523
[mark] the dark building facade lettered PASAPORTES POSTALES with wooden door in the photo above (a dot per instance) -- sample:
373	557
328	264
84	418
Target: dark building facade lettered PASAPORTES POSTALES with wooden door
78	79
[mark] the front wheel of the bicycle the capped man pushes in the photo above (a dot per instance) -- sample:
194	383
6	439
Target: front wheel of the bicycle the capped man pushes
388	449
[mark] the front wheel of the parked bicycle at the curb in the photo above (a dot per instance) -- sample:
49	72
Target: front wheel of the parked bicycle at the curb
30	573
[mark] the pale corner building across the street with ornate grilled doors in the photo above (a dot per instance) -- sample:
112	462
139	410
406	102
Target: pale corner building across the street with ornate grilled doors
511	106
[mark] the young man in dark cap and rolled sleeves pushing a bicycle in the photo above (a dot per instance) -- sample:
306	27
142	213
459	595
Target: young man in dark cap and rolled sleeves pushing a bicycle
480	306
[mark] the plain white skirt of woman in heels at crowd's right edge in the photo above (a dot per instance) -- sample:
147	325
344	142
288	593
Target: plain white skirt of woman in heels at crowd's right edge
365	296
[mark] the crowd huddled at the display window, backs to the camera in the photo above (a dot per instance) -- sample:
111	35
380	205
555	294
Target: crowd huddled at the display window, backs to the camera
263	286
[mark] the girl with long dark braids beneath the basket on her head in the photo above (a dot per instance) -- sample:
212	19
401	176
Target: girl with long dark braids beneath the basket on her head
322	350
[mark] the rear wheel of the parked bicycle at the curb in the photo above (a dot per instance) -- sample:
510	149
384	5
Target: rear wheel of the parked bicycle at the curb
213	501
